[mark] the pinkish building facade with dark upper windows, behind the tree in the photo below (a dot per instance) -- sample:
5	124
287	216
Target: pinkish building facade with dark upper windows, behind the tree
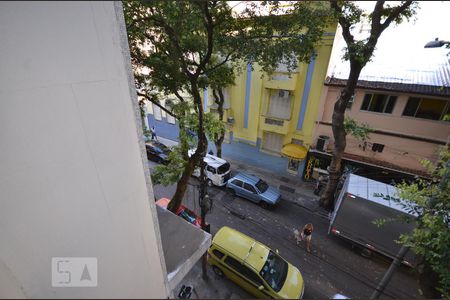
408	122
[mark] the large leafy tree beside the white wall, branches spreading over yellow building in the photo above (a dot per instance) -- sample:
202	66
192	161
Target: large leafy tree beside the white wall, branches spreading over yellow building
190	42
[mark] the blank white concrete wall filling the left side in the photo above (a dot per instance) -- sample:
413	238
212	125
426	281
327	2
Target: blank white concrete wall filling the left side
72	175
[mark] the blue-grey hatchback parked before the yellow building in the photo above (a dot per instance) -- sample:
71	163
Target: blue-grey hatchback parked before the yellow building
254	189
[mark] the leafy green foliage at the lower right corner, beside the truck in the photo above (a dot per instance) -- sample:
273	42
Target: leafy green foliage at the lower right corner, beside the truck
430	240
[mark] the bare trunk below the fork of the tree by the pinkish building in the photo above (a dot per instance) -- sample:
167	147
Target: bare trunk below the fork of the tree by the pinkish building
339	134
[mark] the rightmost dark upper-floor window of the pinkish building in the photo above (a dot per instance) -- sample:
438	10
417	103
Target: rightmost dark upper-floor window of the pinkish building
432	109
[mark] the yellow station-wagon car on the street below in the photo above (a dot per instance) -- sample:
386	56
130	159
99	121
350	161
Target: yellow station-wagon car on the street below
253	266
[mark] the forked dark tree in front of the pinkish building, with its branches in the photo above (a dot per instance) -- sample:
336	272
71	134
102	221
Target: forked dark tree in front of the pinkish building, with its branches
358	53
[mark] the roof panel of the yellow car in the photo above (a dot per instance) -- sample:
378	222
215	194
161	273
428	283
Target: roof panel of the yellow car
245	248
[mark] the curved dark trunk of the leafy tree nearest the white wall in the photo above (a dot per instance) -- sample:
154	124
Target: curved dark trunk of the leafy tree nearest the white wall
199	153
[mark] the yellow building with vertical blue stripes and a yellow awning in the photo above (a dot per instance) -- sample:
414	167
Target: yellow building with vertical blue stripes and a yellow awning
275	114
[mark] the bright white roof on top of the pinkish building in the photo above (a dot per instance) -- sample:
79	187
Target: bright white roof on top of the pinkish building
428	75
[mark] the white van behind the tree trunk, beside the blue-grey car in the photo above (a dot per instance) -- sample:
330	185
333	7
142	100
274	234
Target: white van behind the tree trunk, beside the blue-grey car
217	170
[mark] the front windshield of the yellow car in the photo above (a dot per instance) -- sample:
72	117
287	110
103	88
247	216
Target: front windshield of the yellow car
274	271
